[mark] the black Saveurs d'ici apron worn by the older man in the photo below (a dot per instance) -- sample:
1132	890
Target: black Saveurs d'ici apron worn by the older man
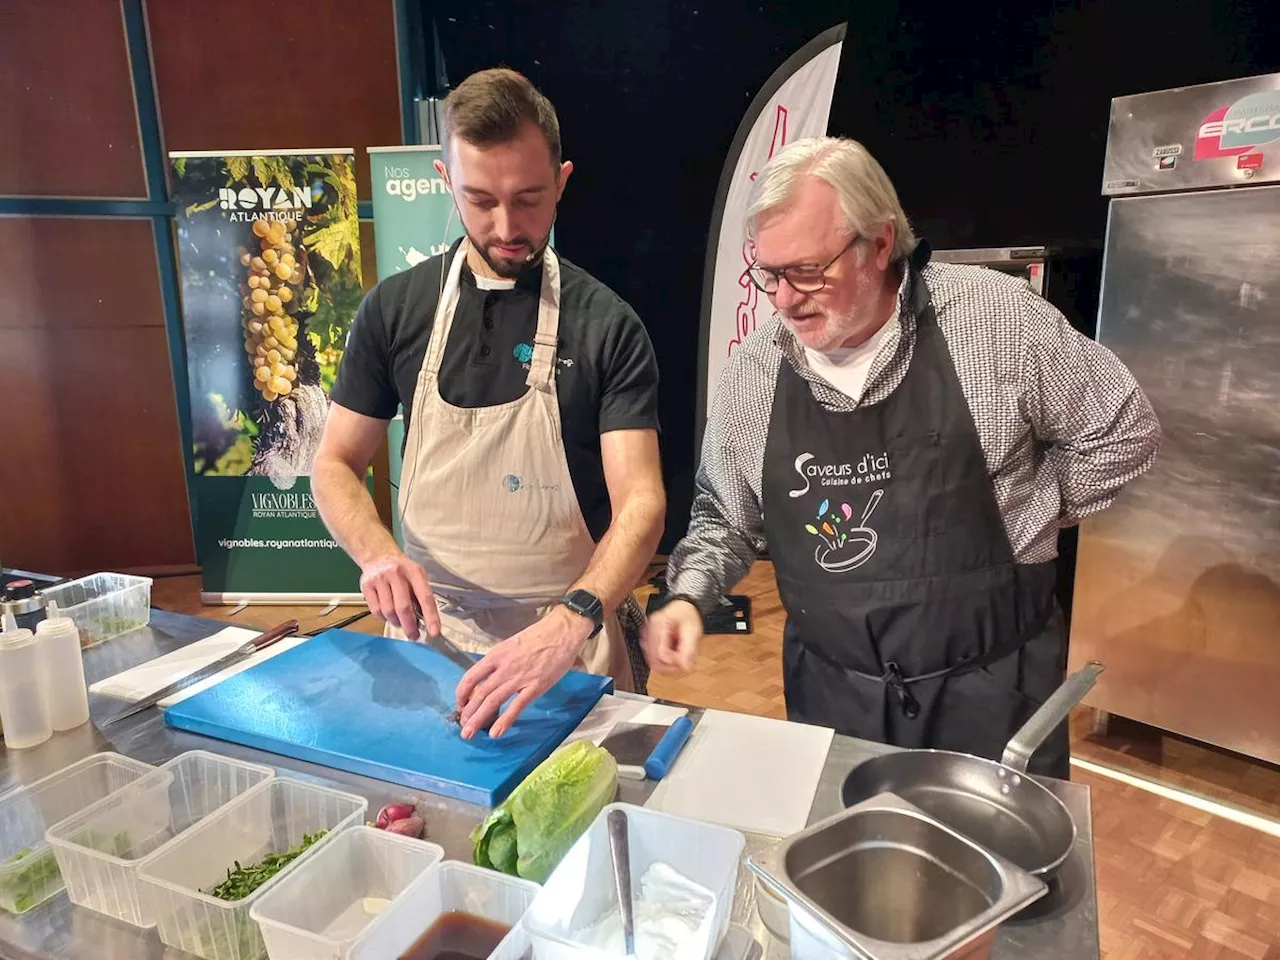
908	620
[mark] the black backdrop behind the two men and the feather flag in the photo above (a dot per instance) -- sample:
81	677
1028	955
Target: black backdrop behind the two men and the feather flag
990	118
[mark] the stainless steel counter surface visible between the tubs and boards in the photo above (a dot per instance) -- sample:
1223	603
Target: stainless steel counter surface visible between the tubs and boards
1062	926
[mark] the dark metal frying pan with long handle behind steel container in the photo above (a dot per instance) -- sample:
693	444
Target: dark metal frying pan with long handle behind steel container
995	804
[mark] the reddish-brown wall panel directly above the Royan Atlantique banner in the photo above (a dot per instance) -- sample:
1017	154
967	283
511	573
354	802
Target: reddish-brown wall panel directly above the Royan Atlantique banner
264	75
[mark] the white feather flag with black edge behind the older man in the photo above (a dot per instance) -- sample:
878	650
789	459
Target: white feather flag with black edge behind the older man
794	104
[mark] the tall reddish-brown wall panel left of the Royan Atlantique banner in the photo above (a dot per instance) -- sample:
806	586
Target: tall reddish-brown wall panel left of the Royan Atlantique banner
92	474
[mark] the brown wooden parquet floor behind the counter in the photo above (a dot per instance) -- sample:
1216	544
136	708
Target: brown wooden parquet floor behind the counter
1174	883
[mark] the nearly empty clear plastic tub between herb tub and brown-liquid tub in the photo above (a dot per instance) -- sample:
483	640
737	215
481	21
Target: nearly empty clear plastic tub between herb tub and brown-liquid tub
319	909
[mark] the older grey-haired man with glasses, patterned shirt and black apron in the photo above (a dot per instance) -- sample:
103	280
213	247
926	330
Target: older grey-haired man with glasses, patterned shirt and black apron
907	438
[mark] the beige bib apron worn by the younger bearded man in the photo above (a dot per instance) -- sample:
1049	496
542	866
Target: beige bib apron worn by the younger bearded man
487	502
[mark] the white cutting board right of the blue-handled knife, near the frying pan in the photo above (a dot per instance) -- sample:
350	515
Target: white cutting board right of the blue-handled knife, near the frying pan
753	774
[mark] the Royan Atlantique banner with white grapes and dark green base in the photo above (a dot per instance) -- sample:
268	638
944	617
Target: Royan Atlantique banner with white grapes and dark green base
269	253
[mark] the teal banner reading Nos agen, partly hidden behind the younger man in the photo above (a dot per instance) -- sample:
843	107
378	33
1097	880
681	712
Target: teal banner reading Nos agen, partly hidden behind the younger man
414	221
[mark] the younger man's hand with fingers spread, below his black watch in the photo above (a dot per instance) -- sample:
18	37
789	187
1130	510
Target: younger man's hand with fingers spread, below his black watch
524	666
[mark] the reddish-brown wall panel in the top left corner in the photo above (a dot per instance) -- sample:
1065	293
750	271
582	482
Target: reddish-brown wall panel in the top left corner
68	125
